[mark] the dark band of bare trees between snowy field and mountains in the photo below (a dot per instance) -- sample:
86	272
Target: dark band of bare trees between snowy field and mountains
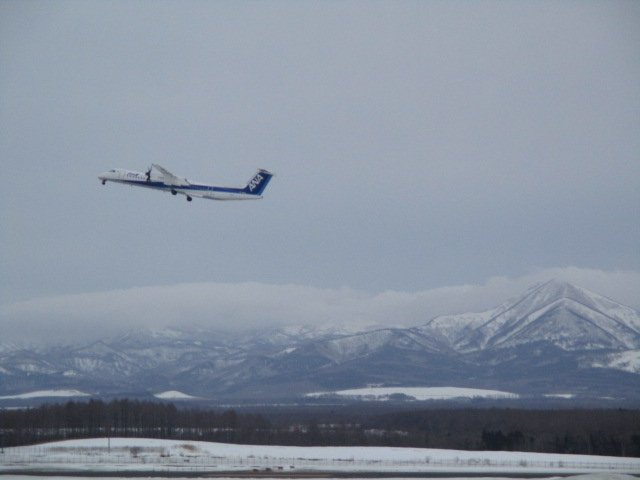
578	431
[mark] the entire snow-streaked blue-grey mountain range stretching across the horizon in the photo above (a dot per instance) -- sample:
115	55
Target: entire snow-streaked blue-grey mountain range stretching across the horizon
556	338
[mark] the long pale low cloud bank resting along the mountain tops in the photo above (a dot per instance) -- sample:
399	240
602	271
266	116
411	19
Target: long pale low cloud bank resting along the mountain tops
238	307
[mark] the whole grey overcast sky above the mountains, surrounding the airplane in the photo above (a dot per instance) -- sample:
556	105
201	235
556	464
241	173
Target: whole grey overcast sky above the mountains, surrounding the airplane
430	157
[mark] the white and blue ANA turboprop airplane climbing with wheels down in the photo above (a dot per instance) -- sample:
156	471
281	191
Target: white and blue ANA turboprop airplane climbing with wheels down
161	179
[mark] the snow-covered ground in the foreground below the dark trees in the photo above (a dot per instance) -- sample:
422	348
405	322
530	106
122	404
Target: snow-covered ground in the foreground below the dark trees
151	455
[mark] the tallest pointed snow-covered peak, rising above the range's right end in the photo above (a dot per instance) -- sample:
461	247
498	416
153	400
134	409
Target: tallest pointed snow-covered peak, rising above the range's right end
559	313
